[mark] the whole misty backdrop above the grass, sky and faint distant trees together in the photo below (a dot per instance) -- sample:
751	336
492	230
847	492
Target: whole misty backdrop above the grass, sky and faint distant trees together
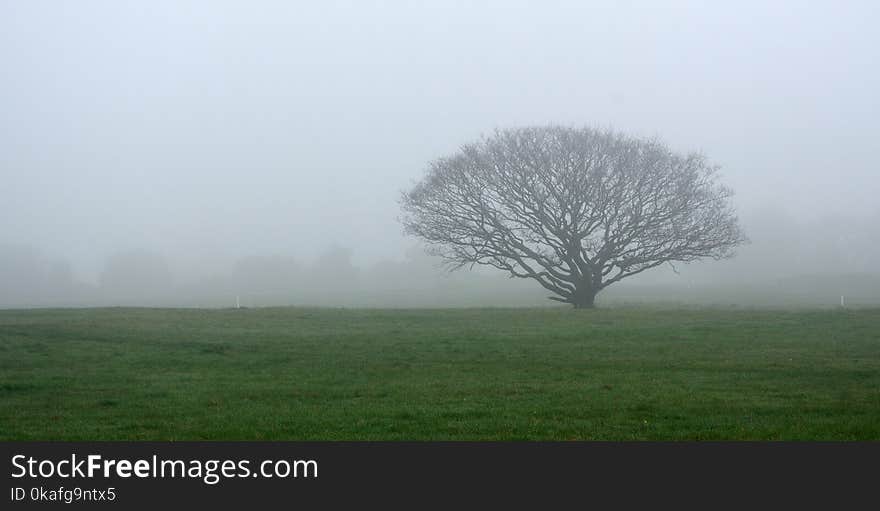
212	153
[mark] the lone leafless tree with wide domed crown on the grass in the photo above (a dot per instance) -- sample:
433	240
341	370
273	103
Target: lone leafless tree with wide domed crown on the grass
574	209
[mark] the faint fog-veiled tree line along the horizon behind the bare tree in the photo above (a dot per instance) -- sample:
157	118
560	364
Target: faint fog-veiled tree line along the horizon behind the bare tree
789	256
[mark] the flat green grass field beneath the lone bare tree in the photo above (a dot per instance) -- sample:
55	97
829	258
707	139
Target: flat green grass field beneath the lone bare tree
468	374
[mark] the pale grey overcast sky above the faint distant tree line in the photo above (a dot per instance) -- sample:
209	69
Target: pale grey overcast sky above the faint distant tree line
211	130
